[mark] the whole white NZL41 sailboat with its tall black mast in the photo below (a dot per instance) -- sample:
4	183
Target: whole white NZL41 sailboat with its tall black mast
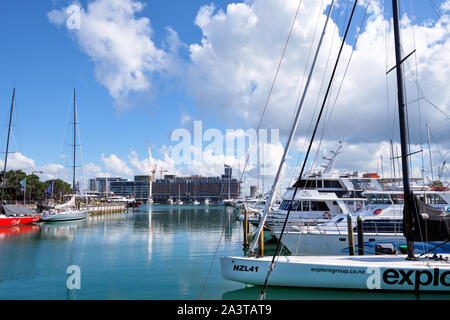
372	272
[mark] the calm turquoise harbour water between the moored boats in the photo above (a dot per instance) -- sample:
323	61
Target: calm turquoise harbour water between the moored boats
156	252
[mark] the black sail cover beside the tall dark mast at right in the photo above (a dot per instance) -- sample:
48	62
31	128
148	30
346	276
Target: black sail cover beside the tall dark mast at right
425	222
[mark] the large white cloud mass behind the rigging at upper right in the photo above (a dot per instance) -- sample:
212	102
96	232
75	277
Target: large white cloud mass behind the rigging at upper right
233	66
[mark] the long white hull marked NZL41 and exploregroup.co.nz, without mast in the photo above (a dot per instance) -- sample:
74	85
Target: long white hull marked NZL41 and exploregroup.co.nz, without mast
350	272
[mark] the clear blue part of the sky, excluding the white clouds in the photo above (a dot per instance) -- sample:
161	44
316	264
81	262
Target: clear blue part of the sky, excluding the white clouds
45	61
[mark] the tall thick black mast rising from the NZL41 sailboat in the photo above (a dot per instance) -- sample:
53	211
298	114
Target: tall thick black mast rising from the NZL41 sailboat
407	212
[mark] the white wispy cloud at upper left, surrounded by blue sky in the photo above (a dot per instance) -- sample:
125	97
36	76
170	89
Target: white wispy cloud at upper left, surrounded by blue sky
119	44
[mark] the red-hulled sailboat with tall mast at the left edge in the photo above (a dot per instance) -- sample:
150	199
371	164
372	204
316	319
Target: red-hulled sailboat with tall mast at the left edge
13	215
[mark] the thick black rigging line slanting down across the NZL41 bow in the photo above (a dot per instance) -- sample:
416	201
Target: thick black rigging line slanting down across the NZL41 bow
262	294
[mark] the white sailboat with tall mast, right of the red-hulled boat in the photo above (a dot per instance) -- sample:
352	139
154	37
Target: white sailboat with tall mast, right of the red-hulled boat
69	210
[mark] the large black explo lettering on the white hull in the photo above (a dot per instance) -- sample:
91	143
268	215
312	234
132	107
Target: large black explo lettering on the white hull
420	278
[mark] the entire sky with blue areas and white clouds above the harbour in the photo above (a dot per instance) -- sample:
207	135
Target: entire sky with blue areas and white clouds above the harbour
150	71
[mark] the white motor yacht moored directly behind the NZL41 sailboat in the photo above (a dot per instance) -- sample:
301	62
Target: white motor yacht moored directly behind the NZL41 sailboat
382	223
